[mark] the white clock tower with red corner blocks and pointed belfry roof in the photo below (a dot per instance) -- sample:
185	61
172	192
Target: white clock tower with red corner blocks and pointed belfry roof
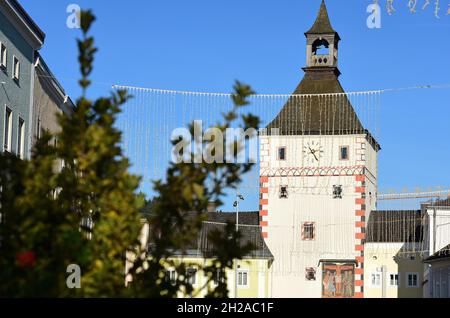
317	144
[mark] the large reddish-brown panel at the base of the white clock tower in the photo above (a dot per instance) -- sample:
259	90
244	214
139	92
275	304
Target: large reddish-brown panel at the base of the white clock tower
338	280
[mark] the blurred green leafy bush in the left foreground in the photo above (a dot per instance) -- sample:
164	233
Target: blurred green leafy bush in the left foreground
74	202
